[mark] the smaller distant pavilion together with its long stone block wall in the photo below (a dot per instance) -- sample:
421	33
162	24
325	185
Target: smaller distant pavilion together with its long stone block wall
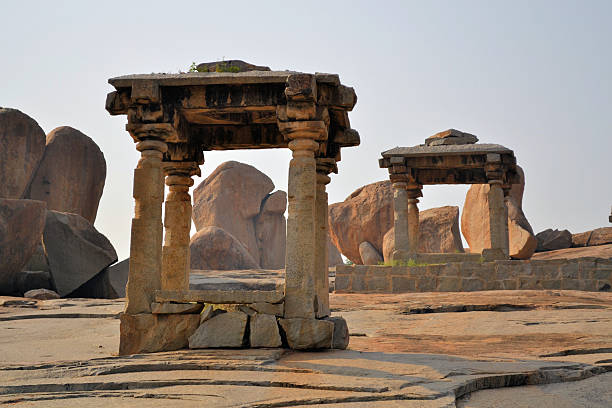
454	157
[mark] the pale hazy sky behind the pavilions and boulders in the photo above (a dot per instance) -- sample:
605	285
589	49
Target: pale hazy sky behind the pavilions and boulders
535	76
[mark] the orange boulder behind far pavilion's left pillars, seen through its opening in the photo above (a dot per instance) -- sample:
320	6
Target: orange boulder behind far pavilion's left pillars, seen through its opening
438	232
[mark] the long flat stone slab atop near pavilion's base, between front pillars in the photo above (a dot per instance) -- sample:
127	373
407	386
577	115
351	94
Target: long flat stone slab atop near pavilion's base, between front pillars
220	296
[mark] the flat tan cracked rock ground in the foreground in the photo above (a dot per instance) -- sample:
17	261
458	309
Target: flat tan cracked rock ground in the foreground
408	350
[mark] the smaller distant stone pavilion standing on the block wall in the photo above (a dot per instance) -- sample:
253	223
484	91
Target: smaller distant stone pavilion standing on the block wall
449	157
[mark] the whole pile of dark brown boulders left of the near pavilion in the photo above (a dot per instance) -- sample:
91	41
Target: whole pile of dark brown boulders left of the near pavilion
49	198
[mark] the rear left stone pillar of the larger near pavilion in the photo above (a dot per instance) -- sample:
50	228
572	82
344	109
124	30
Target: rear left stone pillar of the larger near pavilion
177	221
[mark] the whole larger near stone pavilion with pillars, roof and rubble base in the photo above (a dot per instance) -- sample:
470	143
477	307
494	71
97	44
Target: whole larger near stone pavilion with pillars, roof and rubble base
174	118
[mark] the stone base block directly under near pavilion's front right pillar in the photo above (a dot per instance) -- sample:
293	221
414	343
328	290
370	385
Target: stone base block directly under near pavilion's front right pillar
306	334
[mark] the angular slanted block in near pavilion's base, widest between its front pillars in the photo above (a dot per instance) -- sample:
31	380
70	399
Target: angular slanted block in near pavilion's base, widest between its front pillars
222	330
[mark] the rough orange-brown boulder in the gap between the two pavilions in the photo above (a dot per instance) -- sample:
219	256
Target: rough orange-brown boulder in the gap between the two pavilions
366	215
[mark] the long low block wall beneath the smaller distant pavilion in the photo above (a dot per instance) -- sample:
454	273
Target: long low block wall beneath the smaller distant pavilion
588	274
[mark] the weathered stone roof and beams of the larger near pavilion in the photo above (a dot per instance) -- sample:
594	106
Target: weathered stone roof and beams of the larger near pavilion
225	110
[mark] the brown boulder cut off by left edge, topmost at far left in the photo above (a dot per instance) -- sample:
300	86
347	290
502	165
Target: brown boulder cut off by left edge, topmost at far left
22	144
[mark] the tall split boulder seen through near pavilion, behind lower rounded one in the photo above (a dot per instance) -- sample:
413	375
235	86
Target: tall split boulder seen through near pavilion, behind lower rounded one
236	198
